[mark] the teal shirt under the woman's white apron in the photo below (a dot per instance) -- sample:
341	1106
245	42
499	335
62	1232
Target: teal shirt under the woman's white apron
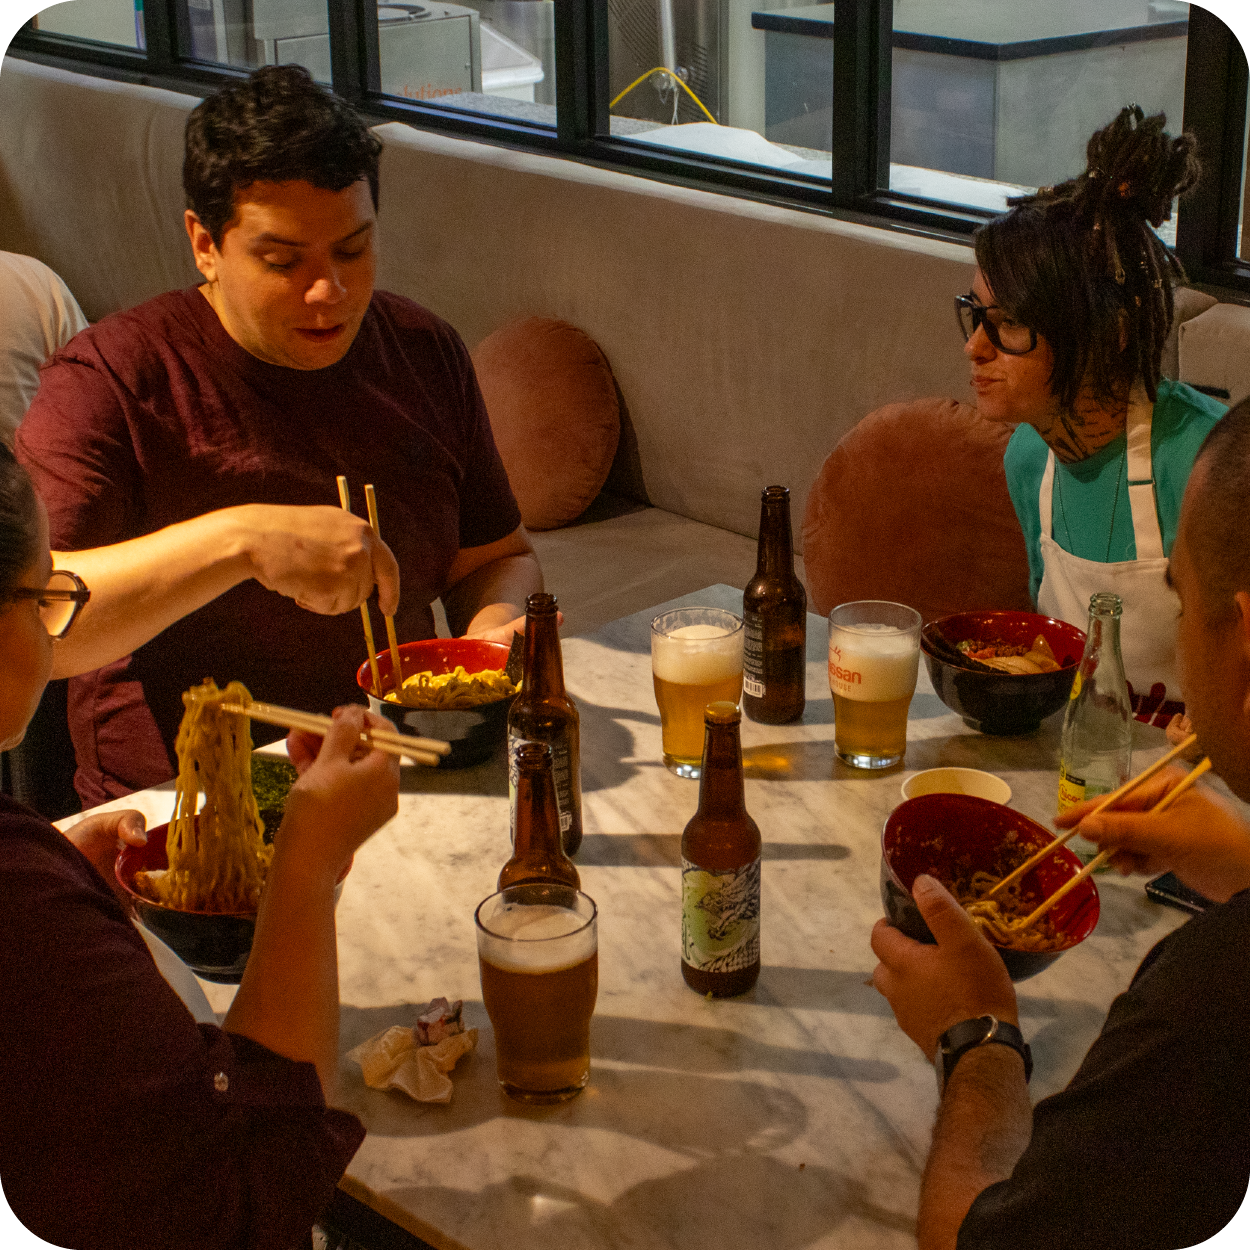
1086	493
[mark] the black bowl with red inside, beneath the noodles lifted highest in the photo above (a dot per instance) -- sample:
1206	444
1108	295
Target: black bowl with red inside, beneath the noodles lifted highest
213	944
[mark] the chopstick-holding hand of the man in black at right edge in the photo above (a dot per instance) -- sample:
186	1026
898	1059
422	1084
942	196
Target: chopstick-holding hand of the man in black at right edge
1199	838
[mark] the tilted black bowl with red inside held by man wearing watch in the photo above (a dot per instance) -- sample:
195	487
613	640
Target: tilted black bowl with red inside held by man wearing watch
954	836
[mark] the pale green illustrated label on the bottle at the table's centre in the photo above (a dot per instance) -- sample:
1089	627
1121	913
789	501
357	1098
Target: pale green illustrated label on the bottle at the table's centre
721	918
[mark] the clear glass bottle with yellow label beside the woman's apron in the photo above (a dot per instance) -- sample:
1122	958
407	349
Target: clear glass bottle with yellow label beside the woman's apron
1096	754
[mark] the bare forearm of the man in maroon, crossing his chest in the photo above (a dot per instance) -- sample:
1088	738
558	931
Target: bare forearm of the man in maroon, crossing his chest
142	587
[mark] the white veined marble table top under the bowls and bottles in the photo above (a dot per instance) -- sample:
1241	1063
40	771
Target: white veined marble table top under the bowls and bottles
798	1116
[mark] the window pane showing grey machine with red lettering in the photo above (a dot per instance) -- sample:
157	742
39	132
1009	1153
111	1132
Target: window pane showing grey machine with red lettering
492	57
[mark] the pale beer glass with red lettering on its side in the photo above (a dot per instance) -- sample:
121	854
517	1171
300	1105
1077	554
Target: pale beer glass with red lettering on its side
874	653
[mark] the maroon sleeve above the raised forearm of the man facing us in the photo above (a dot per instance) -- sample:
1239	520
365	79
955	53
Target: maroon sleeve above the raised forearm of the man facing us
76	443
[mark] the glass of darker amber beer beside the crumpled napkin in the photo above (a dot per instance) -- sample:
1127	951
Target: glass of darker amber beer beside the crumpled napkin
538	949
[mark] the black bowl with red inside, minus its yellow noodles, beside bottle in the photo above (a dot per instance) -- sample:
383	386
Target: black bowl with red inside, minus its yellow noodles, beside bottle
473	733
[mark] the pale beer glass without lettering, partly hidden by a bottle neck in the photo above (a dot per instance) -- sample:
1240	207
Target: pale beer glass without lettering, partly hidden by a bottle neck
697	659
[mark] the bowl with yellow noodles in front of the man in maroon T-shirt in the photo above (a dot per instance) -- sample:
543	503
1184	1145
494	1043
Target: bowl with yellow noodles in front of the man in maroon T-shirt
454	689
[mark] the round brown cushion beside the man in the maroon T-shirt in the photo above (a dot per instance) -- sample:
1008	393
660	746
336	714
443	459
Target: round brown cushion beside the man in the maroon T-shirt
553	408
